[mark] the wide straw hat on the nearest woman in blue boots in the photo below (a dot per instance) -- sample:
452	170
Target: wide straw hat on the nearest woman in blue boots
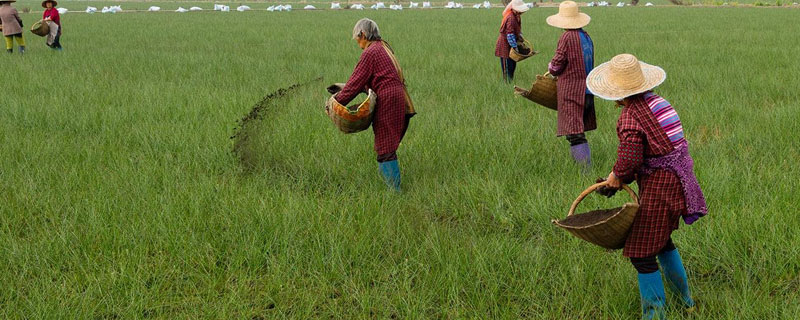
623	77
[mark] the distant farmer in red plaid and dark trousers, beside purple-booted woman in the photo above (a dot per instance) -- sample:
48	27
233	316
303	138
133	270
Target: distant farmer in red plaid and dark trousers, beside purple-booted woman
510	35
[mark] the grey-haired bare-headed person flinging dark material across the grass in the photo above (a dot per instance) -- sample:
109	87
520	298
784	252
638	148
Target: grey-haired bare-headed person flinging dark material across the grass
377	69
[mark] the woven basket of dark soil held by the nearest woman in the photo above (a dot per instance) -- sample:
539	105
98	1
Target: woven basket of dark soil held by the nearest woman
610	233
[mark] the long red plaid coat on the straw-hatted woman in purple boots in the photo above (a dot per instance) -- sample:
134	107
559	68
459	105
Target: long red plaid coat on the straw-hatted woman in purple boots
567	64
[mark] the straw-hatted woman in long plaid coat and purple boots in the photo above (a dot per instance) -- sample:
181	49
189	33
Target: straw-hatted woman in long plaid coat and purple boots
573	60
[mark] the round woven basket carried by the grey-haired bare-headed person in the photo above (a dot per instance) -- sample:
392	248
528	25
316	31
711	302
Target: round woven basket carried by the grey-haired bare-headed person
354	118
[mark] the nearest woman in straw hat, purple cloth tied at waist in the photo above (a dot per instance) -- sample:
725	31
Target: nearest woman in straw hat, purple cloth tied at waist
654	152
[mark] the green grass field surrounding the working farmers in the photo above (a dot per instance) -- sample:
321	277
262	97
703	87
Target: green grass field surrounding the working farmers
121	197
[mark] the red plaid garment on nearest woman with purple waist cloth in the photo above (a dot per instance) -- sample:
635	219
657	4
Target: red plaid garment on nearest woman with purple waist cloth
661	199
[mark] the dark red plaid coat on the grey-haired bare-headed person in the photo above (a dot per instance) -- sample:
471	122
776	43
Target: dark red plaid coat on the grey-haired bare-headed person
376	71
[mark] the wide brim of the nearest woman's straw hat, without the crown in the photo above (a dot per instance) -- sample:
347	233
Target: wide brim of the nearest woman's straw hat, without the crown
598	82
